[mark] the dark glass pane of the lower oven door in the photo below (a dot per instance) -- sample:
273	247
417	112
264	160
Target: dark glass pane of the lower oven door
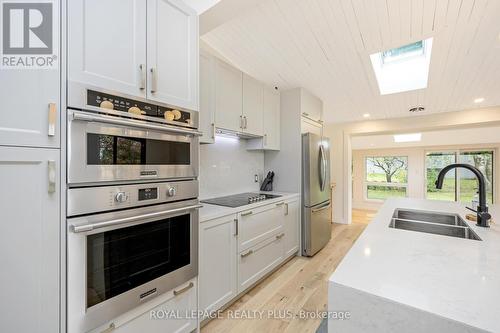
122	259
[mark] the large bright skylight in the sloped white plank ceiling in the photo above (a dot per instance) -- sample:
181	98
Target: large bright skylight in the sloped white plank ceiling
403	68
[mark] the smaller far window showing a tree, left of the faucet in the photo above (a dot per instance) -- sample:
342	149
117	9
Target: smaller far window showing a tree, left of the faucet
386	177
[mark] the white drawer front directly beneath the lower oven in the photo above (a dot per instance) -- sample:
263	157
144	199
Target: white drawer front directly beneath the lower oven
175	312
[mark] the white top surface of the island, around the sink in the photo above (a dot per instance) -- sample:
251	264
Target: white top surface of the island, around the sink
450	277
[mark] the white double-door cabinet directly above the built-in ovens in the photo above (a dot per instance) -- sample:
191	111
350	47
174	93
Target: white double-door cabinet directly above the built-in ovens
146	49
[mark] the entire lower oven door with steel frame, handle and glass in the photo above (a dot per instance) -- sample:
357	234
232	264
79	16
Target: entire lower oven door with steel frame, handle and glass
119	260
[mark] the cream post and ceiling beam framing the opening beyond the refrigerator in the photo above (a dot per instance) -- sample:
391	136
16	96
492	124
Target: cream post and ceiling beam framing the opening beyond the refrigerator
340	136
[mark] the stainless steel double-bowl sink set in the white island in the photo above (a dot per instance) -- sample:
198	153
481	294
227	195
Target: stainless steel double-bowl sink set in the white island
445	224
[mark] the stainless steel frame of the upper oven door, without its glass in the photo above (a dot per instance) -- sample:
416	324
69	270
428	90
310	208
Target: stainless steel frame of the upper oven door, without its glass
80	173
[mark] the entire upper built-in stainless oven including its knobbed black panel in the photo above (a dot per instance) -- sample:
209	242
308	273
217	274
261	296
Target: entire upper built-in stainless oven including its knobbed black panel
115	145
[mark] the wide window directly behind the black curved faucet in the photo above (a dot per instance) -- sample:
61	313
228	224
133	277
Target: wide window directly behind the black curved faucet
460	184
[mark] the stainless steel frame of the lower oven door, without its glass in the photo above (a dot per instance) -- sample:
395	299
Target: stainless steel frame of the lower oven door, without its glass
106	311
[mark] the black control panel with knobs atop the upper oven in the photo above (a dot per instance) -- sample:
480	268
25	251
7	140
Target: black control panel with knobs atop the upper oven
117	103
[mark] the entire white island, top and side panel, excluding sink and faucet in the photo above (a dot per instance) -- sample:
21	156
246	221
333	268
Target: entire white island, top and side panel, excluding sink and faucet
419	280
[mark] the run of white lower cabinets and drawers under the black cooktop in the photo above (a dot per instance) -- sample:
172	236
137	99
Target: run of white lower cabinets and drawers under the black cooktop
238	250
